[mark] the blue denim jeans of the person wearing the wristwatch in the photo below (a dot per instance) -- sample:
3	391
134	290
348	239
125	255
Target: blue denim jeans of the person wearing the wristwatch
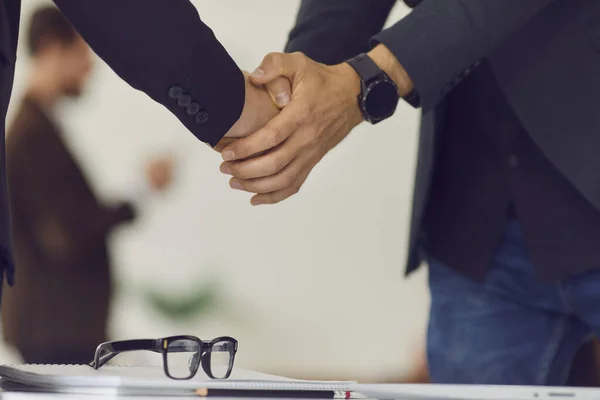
510	329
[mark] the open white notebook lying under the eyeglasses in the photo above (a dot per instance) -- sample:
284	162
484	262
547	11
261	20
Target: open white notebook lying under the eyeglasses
147	379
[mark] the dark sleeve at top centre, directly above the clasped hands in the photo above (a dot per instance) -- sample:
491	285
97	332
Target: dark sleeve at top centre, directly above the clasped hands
334	30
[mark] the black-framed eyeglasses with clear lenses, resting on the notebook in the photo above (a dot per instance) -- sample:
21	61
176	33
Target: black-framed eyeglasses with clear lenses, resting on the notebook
182	355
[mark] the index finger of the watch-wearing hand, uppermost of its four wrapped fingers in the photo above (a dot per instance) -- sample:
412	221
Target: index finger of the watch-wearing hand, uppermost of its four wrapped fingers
275	132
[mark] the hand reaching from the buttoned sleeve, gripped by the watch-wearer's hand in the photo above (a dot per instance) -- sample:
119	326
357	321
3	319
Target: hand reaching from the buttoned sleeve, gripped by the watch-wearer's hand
259	109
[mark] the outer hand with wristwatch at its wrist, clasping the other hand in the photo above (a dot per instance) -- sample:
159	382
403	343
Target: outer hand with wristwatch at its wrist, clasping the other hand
322	111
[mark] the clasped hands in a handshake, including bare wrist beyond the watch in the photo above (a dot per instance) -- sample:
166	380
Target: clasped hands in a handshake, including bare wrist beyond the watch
296	110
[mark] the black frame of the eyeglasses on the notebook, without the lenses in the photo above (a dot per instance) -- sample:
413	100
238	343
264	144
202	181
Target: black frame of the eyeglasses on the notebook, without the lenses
109	350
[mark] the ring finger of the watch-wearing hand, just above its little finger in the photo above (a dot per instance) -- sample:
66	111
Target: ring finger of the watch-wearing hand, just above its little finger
281	180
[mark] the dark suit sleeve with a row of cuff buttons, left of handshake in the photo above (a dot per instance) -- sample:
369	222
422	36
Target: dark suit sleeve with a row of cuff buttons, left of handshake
156	44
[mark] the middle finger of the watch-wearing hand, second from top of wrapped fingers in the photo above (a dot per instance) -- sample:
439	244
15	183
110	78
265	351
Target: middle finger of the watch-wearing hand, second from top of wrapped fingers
267	164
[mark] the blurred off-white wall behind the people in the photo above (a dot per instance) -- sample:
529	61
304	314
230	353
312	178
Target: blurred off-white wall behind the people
308	282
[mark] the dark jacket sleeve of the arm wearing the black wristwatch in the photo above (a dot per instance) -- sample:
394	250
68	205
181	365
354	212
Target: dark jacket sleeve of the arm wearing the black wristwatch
440	41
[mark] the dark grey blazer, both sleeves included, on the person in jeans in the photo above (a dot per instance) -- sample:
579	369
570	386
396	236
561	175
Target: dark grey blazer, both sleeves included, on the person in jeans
544	53
